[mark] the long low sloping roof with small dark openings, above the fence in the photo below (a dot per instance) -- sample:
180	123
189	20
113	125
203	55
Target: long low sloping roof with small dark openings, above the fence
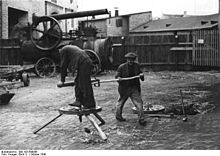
177	24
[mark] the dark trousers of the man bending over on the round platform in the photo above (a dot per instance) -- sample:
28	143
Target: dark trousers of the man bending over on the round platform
83	88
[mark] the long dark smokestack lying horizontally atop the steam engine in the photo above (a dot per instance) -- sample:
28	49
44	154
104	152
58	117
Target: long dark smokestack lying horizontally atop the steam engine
80	14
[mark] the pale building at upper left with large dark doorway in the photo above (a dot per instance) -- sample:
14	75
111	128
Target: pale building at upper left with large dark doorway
18	13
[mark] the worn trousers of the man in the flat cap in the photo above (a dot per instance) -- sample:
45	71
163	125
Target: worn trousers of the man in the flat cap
135	95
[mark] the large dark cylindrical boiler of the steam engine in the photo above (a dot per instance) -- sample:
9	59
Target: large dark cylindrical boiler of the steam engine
102	47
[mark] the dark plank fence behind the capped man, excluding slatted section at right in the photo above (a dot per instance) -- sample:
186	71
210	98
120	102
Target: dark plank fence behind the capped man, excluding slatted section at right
161	51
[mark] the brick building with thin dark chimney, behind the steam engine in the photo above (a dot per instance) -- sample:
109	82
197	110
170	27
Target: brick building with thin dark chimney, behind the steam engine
118	25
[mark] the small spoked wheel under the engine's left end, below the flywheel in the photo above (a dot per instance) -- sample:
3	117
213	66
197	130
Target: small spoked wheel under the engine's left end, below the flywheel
45	67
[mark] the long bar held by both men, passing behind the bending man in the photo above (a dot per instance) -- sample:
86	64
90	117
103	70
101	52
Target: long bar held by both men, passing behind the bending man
96	82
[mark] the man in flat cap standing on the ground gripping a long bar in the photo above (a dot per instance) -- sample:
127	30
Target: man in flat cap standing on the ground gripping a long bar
130	88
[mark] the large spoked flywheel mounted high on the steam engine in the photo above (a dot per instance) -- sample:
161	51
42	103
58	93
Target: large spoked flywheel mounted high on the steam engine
45	33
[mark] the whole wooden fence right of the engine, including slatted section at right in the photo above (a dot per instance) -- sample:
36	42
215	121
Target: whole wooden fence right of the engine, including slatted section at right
184	51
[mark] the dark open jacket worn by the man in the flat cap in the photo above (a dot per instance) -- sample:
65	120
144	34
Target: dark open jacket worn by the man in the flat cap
123	72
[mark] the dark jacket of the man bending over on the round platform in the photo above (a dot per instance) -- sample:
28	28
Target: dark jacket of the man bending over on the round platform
71	58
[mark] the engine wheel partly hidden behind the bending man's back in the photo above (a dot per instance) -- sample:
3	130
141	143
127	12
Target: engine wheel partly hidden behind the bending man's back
95	61
